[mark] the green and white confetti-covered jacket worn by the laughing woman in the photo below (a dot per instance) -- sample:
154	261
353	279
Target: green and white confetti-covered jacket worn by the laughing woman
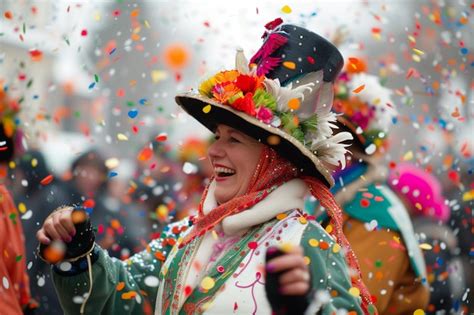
132	286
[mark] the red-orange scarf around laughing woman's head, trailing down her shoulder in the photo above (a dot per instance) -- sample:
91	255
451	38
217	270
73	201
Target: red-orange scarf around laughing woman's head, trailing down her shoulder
271	172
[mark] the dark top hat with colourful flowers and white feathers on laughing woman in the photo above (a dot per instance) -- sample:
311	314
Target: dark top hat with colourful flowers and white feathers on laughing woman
283	98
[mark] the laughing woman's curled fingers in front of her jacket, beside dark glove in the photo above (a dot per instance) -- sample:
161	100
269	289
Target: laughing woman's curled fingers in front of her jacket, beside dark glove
294	276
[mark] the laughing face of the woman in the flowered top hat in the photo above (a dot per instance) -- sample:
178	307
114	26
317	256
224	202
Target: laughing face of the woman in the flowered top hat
234	157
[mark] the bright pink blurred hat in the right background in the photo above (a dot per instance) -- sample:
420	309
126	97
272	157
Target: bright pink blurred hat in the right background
421	189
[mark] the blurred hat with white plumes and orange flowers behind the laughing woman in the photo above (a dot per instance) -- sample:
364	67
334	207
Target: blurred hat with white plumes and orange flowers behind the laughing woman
364	105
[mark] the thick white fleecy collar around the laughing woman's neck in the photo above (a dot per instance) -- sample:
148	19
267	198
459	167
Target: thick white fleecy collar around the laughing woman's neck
288	196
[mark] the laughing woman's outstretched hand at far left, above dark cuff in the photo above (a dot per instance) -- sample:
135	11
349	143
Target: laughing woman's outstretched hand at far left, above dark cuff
58	226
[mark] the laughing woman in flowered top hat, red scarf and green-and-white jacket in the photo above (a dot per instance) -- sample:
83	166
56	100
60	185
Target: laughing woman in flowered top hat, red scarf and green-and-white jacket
251	248
